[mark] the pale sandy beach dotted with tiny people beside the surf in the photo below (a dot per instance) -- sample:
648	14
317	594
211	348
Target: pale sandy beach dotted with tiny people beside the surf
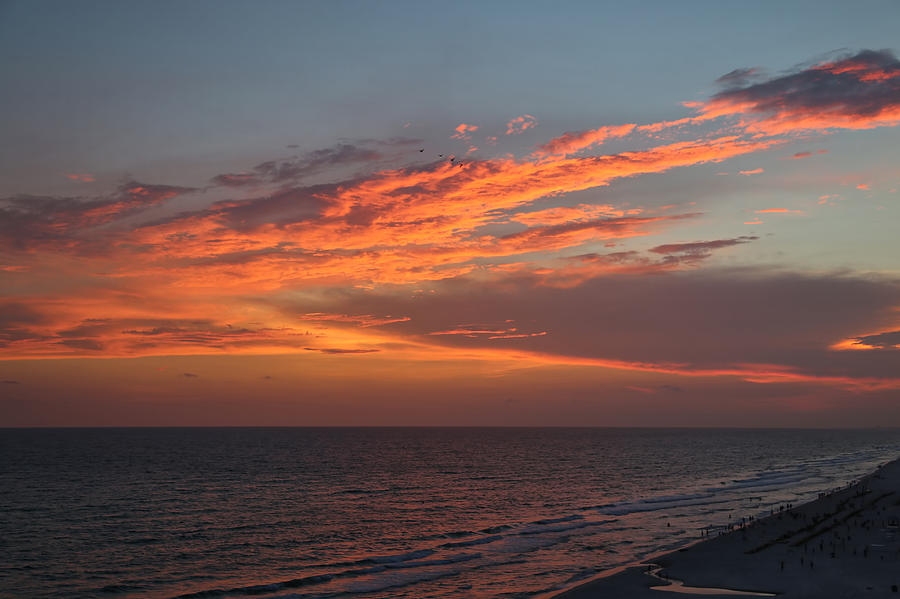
843	545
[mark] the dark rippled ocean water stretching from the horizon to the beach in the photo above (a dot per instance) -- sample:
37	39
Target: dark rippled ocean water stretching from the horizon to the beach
411	513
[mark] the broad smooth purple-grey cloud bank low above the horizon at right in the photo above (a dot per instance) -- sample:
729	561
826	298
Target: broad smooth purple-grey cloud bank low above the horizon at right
711	318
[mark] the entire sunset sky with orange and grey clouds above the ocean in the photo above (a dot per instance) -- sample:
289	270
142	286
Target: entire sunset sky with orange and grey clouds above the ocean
430	213
